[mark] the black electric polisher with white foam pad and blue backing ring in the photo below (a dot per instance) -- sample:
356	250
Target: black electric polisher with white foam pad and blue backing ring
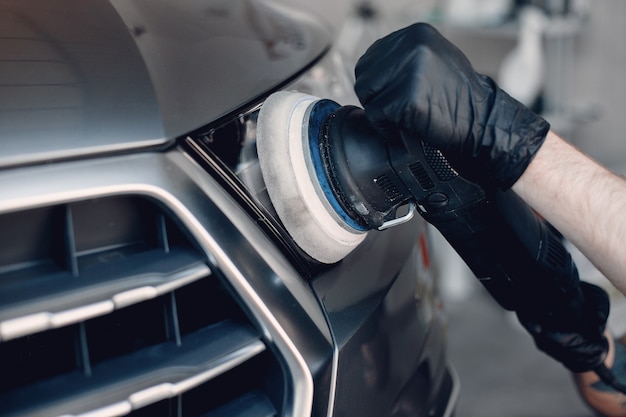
333	178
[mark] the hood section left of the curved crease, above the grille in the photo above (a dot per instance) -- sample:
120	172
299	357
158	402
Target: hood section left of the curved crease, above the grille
72	82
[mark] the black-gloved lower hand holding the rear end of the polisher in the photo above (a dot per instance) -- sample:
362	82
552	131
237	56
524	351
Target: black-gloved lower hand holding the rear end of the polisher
572	332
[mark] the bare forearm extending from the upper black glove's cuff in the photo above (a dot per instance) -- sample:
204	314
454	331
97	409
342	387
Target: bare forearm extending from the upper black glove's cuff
582	199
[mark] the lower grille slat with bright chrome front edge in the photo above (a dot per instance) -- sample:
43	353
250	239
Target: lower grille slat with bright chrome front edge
143	378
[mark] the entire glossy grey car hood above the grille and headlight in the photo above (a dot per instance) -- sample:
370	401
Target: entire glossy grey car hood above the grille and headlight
90	77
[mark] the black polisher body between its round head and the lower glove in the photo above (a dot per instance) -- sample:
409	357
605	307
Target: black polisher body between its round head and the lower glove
514	254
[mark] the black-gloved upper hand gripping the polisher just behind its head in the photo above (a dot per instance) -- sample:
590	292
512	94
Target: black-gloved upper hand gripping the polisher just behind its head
417	81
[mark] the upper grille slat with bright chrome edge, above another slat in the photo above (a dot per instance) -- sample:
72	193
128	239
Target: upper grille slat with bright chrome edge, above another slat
142	278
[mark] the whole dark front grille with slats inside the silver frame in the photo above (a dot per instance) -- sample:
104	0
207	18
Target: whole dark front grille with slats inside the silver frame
107	307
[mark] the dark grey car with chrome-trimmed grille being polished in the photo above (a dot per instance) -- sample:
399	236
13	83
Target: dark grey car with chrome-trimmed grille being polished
143	270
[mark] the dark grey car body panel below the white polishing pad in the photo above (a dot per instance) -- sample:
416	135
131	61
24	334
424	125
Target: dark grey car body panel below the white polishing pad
387	321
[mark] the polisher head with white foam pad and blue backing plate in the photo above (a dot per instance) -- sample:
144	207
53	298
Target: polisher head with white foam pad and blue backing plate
327	173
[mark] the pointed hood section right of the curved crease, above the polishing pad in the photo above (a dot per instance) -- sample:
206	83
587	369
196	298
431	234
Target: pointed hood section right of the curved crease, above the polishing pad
207	50
